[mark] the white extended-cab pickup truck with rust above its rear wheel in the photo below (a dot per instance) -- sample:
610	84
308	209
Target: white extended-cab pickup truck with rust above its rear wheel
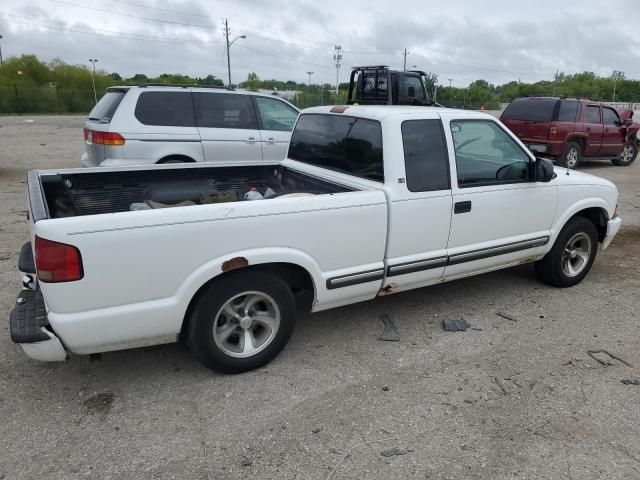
369	201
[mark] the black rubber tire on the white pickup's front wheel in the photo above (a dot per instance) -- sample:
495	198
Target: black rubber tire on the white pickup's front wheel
551	269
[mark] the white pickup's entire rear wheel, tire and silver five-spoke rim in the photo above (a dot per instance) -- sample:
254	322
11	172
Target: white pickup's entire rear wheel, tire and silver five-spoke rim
241	322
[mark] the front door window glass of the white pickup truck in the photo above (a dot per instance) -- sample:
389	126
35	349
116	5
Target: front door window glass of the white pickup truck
486	155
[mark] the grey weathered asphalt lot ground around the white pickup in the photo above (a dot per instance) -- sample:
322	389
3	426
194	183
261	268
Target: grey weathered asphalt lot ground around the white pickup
516	398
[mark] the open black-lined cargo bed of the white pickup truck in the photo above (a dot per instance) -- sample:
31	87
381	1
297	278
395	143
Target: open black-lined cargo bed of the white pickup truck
78	193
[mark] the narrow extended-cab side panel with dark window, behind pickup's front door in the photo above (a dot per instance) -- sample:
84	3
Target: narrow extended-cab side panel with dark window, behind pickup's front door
419	205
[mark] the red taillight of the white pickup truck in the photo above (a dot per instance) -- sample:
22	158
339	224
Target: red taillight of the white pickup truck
57	262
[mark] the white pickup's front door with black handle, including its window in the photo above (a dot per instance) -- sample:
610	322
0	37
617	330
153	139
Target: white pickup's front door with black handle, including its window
500	215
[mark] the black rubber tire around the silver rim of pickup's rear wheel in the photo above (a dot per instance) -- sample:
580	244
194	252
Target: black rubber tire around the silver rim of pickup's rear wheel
206	312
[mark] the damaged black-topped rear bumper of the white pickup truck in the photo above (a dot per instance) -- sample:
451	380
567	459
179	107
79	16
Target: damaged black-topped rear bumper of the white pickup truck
29	328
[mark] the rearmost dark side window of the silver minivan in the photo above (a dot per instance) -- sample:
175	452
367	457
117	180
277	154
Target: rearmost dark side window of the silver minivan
170	109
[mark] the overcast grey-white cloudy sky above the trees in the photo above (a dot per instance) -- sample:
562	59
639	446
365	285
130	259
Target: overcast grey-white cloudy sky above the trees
500	40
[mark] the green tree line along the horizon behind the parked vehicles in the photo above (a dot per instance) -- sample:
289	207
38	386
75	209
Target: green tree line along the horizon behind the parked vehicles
28	85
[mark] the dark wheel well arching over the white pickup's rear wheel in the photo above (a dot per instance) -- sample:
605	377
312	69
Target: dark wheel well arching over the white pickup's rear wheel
298	279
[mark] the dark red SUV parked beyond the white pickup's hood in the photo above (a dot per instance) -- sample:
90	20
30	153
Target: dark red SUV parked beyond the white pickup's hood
570	129
